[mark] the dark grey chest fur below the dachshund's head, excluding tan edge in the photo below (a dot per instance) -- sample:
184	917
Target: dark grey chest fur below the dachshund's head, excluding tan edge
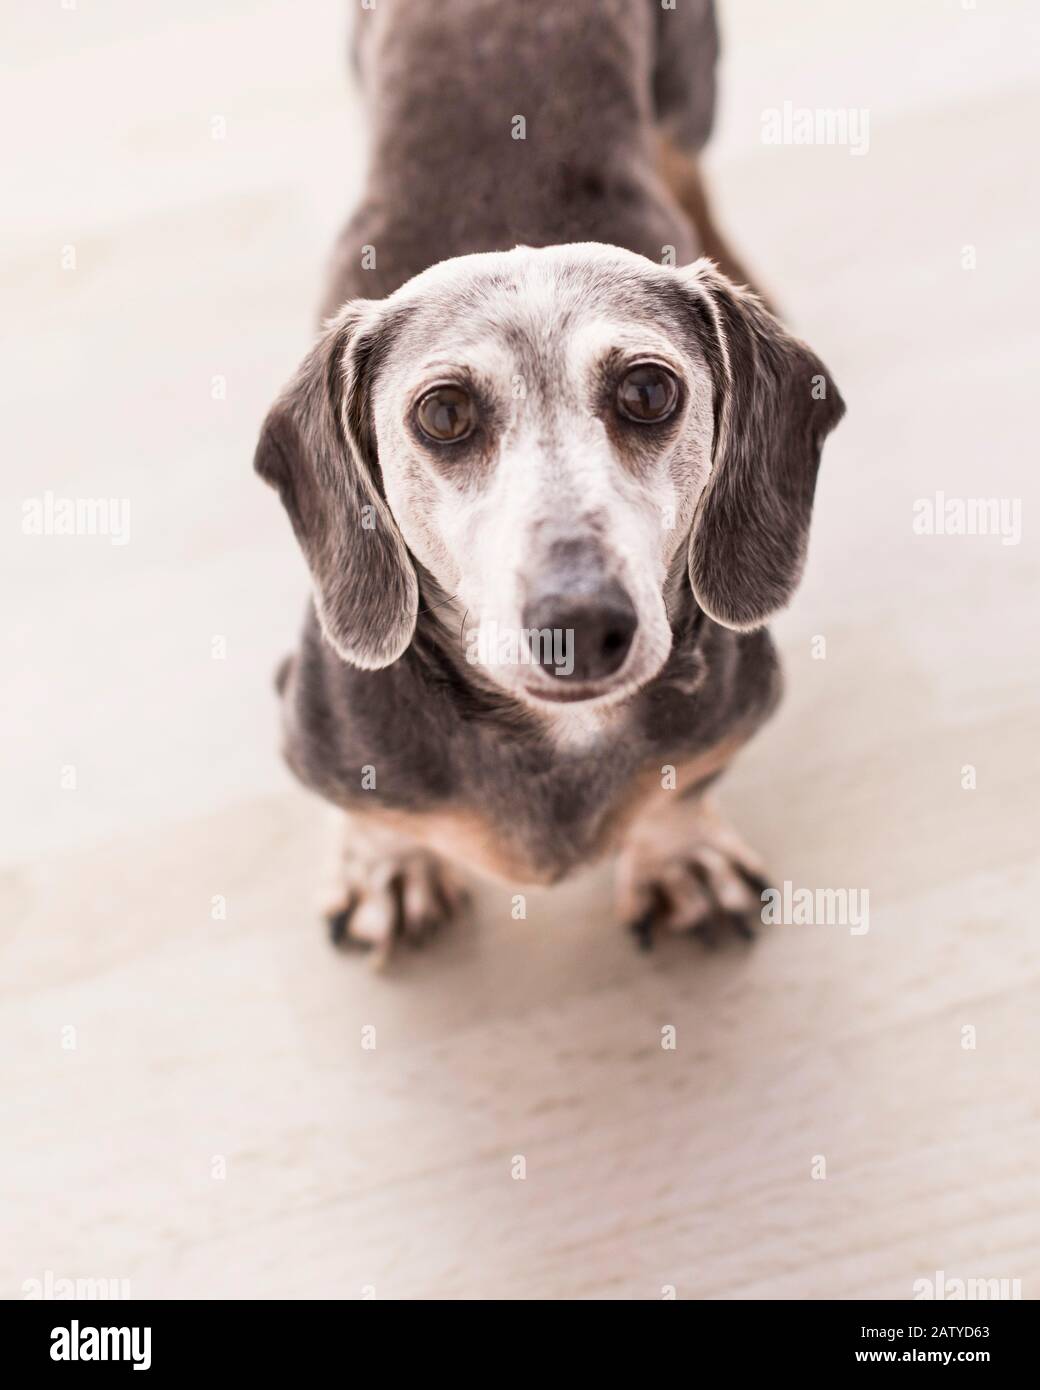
439	739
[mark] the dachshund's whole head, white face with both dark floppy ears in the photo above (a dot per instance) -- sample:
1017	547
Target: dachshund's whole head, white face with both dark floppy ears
551	434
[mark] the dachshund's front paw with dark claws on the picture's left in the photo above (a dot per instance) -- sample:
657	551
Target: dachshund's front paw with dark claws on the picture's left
384	900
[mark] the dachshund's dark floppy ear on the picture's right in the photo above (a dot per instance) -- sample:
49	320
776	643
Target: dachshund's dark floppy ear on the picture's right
775	404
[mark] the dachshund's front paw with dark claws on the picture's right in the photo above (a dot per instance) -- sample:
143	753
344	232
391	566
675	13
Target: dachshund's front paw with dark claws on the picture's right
710	889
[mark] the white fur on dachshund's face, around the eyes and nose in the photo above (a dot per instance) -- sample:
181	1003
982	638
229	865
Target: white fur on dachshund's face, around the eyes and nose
536	341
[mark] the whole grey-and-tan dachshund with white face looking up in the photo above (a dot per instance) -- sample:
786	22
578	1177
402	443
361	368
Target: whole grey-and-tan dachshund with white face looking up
386	717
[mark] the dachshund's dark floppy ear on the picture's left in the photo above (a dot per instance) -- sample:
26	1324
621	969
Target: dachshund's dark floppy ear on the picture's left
318	448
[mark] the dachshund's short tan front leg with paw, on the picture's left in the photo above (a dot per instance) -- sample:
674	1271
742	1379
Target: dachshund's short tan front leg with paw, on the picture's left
387	889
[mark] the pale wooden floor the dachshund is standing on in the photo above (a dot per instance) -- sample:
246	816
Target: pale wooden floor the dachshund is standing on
234	1046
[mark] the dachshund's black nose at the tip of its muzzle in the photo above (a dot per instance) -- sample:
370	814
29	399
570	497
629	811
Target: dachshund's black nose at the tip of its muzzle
582	639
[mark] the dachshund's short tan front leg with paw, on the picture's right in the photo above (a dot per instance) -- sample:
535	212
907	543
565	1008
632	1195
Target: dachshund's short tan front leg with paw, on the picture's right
685	869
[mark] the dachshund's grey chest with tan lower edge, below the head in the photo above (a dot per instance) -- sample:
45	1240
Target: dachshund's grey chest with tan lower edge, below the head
517	803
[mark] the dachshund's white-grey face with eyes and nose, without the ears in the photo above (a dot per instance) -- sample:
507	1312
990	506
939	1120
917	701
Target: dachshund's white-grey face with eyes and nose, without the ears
543	433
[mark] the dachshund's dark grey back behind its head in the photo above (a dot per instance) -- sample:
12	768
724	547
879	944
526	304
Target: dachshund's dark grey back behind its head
523	123
